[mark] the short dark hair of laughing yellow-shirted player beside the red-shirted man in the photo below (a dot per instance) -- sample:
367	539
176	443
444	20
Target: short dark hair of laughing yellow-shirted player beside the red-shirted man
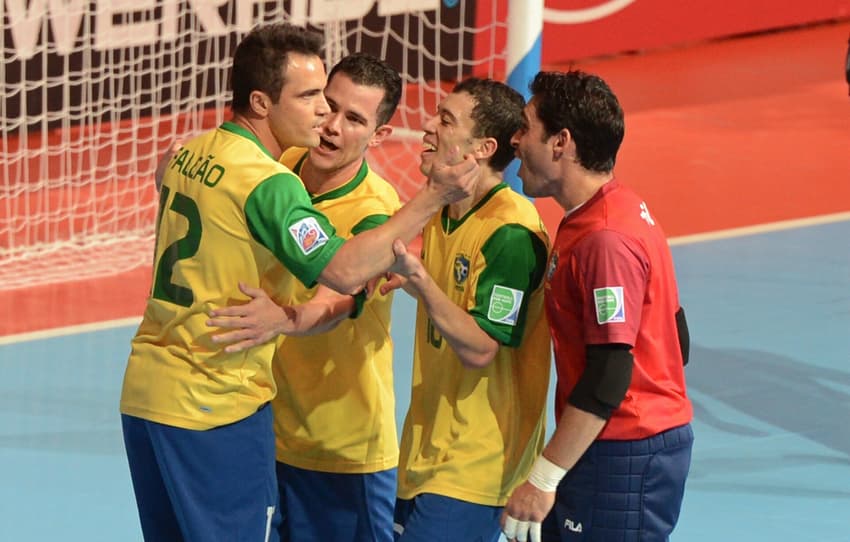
497	113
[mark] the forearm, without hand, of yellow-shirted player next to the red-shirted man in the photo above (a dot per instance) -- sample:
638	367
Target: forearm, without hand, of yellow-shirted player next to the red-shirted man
473	346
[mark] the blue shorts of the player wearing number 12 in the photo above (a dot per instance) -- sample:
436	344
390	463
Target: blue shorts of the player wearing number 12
206	486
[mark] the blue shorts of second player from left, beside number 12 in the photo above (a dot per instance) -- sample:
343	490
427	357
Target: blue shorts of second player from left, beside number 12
325	506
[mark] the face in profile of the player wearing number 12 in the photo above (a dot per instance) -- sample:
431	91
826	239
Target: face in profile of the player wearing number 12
296	117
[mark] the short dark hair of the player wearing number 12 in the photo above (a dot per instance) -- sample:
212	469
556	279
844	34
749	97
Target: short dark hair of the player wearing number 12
261	56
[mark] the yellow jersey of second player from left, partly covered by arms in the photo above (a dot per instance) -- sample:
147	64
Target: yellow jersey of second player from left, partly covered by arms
335	407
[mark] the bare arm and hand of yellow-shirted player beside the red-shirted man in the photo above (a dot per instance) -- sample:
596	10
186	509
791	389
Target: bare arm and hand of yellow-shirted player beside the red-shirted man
473	345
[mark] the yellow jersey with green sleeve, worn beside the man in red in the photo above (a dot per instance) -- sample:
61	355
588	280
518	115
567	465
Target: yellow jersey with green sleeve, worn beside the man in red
473	434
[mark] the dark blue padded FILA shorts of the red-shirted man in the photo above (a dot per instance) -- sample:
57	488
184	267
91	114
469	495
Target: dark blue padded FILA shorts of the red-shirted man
627	491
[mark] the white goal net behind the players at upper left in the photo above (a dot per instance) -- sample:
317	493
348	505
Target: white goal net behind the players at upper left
93	91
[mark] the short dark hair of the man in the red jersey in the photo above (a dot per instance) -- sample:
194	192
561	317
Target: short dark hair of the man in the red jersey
585	105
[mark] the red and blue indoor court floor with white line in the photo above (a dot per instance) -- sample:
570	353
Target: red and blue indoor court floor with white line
741	149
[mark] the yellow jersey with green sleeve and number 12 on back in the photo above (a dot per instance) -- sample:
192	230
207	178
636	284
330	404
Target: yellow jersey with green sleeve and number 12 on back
228	212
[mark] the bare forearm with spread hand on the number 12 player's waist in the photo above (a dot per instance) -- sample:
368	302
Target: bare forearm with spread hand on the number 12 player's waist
261	319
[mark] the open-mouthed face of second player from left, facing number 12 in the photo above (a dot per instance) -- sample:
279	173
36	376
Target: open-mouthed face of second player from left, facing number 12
350	127
